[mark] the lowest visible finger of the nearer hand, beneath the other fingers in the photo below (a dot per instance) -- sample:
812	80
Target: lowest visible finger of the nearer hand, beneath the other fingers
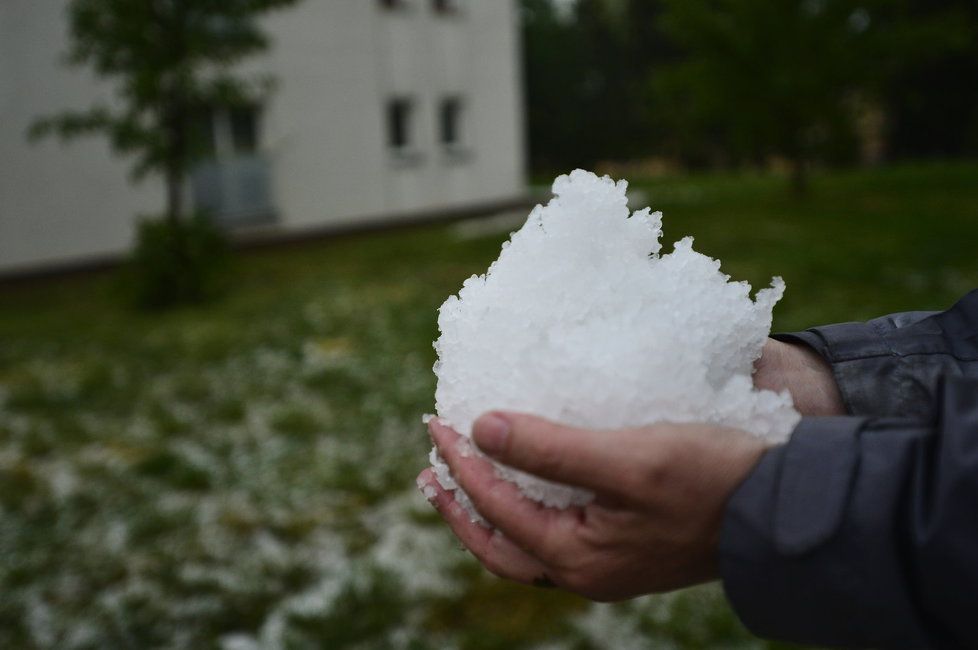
497	553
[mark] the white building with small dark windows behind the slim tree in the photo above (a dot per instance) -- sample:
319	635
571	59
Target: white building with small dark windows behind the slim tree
384	110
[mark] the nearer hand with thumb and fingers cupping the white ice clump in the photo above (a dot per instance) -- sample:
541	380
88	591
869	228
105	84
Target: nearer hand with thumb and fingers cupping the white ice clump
653	526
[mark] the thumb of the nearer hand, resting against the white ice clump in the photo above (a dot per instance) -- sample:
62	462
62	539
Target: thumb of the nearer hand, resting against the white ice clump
600	460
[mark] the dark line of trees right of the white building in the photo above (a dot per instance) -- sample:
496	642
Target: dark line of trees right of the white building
732	82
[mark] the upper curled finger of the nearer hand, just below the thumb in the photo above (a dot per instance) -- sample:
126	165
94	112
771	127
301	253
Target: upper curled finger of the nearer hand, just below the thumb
530	525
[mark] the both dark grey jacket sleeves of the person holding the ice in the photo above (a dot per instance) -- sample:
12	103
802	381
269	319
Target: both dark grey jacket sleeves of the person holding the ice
862	531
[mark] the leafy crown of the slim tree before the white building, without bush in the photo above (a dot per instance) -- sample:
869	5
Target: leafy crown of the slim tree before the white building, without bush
171	59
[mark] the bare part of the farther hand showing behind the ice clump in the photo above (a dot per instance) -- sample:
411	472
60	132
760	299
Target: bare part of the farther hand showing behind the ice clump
801	371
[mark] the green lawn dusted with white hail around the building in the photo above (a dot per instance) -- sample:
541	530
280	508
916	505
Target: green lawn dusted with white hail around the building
242	476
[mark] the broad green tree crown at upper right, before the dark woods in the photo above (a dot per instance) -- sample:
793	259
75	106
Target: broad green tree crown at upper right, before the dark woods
758	77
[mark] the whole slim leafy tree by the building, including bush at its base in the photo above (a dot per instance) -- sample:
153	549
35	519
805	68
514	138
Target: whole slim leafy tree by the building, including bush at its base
173	60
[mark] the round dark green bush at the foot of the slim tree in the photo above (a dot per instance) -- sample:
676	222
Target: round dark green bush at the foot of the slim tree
177	263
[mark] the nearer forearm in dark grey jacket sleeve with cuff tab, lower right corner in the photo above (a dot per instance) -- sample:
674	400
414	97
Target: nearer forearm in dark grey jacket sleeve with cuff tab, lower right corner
862	533
